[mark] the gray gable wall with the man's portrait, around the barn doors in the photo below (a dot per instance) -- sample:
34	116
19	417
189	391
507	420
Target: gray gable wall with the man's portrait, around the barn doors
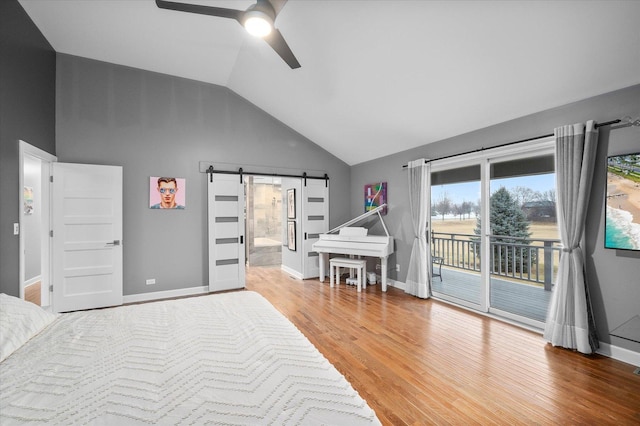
159	125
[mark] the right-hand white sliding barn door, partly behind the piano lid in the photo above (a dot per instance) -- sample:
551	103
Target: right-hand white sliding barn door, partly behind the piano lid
315	221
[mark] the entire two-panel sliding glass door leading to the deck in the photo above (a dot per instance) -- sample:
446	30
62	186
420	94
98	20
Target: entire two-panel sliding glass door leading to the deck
494	241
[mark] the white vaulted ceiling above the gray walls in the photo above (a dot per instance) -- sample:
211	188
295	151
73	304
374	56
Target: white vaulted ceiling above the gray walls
377	77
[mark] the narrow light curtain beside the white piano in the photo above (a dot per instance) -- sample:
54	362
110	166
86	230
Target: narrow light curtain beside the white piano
417	278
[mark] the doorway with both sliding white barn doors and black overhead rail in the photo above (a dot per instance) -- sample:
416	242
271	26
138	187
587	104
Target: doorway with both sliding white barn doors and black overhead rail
264	221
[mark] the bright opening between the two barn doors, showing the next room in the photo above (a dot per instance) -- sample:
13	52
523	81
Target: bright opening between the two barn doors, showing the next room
263	221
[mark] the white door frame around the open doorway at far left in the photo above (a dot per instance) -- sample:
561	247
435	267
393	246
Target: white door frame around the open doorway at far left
25	149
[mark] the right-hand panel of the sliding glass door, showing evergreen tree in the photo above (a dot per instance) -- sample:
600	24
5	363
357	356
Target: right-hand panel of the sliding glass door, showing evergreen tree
524	244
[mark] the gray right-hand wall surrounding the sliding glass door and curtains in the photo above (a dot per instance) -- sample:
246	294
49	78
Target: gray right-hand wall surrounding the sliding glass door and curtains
613	275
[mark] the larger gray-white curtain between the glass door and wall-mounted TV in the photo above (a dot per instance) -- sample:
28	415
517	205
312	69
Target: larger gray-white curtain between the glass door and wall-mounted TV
569	318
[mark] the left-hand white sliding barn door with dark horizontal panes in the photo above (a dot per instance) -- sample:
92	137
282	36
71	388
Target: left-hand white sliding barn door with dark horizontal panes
225	197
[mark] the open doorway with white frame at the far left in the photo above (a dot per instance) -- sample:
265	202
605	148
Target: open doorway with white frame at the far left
35	262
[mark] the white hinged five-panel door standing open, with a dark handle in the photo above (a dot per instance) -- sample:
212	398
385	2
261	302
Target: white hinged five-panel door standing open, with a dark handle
87	236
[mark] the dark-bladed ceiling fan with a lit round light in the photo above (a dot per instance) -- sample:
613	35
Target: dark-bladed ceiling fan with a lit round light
258	20
